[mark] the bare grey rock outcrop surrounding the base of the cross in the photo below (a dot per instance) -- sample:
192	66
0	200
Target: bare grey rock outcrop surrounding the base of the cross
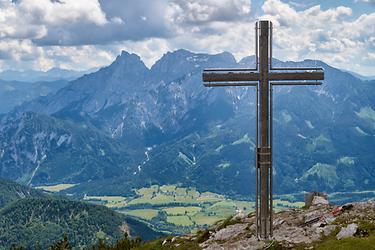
294	228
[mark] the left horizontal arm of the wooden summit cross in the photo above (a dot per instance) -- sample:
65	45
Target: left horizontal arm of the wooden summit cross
230	76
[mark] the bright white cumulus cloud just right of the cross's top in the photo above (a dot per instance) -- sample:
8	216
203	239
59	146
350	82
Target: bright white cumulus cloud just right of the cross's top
330	35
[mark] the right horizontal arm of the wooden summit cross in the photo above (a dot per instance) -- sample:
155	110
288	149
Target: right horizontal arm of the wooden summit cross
296	76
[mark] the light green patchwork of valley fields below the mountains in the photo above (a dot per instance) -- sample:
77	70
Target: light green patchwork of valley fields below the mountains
177	209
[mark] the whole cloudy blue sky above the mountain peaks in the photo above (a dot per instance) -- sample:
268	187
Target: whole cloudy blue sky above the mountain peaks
82	34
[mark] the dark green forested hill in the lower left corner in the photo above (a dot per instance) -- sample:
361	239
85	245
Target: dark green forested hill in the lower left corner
31	219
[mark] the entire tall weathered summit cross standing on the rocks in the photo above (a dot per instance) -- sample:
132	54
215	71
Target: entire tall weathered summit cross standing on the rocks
263	77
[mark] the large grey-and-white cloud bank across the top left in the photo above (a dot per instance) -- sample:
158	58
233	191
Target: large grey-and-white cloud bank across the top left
83	22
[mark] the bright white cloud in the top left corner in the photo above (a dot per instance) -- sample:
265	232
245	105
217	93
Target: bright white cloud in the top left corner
33	19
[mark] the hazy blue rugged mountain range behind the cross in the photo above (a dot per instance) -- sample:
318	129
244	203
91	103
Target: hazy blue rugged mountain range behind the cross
126	126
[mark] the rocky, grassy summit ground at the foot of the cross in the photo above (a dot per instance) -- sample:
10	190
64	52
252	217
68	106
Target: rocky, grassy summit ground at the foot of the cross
293	229
